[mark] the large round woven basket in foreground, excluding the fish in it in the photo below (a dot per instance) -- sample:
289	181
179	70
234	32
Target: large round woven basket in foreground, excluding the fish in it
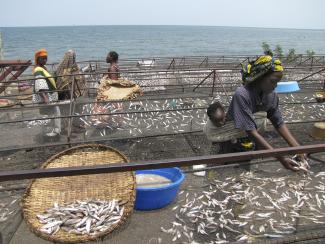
42	193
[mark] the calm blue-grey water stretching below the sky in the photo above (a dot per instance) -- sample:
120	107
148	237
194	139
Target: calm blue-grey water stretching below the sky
93	42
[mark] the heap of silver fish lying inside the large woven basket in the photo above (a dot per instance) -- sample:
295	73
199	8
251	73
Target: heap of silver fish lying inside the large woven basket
81	217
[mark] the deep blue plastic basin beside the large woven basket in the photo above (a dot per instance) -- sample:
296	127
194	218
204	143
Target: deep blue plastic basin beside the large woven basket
155	198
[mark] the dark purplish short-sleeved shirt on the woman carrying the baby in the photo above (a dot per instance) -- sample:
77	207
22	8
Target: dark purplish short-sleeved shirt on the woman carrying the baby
247	101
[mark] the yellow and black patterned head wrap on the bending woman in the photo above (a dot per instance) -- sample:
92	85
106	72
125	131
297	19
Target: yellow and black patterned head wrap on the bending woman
259	67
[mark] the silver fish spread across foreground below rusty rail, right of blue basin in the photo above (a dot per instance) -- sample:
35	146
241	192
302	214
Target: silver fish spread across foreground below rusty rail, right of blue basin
247	207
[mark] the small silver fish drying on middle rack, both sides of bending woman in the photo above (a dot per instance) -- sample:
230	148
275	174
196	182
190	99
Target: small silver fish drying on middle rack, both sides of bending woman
179	115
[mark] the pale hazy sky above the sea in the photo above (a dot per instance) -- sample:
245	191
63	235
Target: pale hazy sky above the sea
300	14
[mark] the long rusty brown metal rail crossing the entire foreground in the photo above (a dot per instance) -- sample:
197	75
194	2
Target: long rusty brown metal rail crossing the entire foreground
178	162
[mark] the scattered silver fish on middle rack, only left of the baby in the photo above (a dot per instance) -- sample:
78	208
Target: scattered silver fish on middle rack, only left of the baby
146	117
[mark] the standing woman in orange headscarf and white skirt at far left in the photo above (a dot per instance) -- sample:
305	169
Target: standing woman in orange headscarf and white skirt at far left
45	91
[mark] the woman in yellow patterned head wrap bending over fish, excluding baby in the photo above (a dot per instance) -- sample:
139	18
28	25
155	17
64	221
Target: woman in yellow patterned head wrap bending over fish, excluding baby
260	78
